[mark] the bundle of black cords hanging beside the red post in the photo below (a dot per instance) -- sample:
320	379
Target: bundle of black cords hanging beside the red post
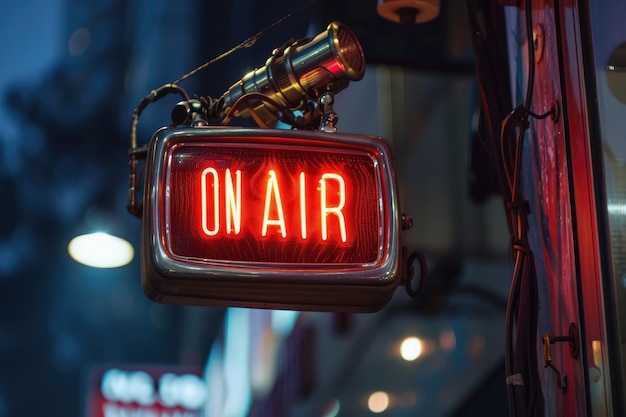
523	382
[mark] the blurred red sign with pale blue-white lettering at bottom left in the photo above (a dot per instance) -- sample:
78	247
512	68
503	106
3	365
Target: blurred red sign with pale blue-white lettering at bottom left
145	392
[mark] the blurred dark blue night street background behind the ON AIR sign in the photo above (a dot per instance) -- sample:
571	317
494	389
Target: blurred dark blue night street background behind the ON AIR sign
83	341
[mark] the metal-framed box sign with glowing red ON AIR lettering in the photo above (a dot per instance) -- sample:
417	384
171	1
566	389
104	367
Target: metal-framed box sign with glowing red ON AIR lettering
270	218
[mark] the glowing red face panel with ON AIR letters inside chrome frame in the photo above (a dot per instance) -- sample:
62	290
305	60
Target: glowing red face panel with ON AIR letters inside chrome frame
290	204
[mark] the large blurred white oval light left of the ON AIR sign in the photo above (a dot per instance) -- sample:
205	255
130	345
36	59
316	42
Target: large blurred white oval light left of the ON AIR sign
101	250
